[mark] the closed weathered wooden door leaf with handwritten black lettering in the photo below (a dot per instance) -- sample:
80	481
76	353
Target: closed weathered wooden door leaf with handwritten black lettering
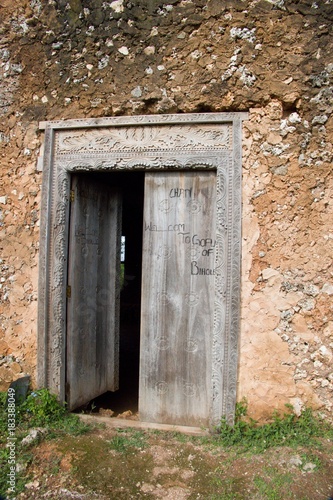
177	297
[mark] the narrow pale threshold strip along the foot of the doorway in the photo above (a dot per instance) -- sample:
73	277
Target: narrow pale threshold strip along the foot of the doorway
137	424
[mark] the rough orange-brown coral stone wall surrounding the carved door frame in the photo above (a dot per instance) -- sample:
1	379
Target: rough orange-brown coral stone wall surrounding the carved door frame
71	59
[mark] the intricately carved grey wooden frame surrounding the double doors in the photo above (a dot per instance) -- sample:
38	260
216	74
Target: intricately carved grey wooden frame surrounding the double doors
146	143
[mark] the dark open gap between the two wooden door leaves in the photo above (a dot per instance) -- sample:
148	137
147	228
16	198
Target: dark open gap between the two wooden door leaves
131	187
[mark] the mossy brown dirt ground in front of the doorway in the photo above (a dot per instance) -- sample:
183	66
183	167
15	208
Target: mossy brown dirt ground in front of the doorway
114	463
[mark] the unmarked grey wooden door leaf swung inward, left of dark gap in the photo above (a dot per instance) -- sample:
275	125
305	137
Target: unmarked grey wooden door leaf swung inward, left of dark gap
93	302
